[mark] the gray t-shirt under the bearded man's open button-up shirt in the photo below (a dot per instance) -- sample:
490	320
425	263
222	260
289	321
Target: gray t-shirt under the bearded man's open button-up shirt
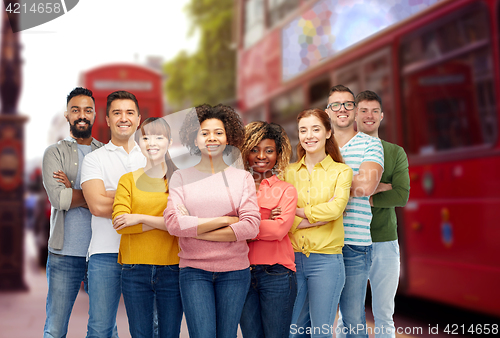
77	228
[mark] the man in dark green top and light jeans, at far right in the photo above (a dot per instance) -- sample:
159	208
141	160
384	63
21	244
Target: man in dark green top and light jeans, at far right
392	191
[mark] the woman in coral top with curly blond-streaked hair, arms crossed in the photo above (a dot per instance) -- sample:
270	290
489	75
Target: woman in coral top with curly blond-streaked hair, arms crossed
269	304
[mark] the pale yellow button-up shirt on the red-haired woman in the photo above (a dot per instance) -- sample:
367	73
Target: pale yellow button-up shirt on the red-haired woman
315	189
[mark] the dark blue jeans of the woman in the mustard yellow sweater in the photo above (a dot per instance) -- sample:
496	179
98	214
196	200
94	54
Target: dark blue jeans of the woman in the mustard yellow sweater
141	283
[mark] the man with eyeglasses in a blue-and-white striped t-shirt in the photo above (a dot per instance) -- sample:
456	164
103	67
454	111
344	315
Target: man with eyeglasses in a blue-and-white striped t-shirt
365	155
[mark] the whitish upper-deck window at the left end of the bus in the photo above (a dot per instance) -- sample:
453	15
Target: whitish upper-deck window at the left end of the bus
254	22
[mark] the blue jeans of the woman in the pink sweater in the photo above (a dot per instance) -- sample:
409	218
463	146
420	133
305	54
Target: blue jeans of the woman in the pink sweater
213	301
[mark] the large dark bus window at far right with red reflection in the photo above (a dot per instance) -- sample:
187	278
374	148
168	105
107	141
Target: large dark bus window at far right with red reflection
448	100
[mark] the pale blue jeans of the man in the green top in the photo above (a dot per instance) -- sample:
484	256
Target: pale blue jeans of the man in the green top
384	279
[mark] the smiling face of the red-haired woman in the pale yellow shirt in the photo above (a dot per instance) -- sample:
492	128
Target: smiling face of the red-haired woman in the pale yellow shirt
313	135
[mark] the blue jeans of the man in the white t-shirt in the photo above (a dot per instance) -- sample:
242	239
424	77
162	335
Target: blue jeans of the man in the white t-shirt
105	289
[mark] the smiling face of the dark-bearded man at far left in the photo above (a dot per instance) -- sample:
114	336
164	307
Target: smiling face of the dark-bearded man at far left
80	115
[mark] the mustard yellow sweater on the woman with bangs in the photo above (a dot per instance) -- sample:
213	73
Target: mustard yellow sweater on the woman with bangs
137	193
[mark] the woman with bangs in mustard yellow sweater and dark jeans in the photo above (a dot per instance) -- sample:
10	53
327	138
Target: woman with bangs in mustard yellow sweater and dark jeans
148	253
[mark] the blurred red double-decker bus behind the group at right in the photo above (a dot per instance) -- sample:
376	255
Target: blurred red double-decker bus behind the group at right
436	66
